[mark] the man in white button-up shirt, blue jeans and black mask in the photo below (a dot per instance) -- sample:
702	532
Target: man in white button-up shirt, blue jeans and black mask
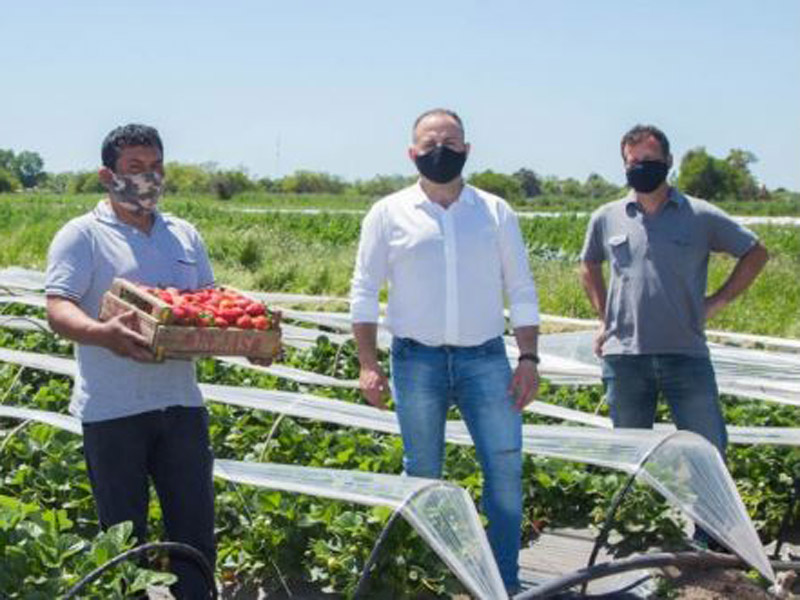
449	252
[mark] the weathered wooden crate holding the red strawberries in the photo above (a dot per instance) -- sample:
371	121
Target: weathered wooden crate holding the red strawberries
154	318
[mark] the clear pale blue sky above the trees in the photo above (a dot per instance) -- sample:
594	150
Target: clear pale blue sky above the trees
544	85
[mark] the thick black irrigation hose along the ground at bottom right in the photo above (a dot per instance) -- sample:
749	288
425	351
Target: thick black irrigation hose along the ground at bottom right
649	561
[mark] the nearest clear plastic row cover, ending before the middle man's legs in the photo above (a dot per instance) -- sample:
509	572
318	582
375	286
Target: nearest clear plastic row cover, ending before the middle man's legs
442	513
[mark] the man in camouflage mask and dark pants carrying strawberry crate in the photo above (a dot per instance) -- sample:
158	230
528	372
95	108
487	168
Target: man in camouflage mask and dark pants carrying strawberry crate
141	420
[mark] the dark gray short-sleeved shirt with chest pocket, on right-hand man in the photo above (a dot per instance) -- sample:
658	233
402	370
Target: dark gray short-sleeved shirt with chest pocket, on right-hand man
659	271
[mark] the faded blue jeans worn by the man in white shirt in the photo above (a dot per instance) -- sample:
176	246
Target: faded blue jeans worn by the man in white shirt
426	380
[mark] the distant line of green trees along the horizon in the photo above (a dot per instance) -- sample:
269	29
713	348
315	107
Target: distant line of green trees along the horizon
699	174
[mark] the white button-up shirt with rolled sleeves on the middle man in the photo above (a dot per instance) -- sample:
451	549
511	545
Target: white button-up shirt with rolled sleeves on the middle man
447	269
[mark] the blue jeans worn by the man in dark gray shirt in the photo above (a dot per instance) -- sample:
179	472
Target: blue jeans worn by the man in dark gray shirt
632	383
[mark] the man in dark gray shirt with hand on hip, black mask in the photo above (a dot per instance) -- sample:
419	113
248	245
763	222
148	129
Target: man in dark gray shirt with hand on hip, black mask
658	242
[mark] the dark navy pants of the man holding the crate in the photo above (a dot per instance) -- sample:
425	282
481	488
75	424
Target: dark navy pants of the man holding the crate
172	447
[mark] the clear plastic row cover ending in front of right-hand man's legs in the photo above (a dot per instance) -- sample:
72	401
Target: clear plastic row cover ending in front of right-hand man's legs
620	449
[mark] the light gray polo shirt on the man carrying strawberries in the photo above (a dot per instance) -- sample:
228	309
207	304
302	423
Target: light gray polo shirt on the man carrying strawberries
84	257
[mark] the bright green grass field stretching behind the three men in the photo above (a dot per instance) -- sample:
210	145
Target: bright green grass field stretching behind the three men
314	254
